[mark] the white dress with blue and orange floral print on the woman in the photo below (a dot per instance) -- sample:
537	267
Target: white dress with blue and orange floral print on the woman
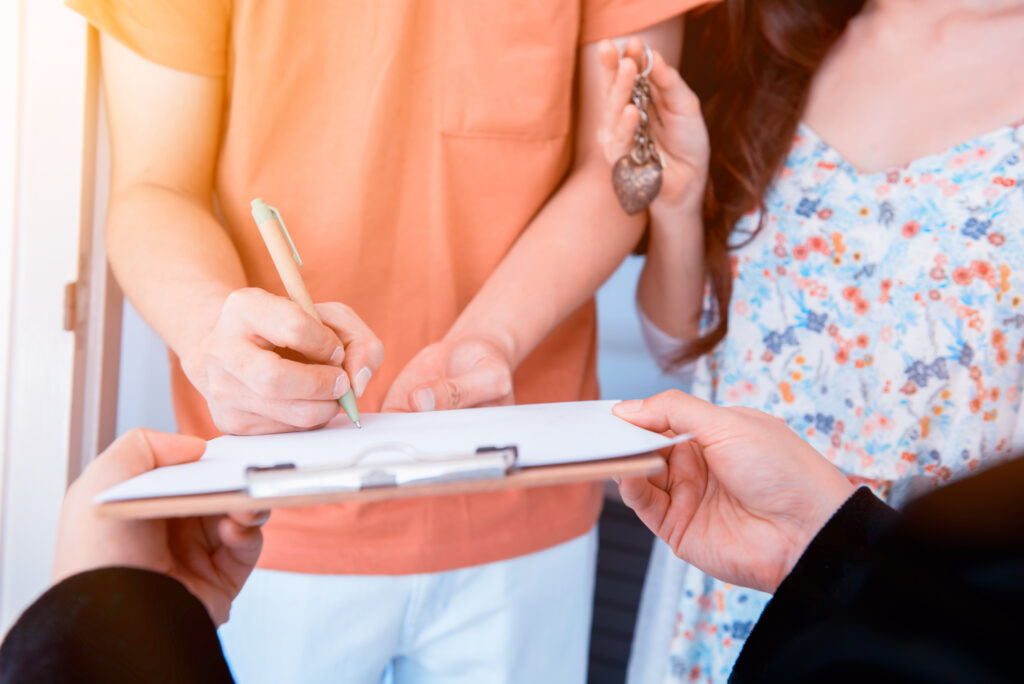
882	317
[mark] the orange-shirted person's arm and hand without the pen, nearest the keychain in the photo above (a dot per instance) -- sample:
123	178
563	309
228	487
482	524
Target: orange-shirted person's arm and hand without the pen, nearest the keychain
567	252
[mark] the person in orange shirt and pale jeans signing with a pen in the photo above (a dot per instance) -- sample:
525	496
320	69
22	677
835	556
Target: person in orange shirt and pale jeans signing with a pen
438	165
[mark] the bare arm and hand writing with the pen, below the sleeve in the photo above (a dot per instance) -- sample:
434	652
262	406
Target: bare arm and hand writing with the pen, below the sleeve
240	347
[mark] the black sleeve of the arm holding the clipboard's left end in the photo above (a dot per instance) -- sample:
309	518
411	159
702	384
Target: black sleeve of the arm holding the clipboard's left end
112	626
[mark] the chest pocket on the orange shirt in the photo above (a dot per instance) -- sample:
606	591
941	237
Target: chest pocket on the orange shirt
508	68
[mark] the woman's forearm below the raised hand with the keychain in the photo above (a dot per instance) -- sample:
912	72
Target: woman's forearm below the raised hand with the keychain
671	288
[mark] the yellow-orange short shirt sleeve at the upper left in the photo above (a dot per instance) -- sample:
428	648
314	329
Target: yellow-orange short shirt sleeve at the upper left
187	35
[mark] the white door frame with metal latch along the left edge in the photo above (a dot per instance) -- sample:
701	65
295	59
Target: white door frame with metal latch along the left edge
53	402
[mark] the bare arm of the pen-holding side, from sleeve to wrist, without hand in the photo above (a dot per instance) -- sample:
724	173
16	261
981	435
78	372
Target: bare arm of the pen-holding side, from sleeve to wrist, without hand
170	255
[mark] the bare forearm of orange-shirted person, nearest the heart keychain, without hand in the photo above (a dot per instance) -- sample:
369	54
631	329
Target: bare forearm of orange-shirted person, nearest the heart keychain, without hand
570	249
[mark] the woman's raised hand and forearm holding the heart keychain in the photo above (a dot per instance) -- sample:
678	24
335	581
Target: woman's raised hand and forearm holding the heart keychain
672	284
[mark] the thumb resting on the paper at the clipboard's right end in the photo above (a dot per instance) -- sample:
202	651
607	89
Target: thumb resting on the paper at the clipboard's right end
674	411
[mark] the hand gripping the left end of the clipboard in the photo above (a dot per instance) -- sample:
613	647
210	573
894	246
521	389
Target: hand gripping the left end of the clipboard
212	557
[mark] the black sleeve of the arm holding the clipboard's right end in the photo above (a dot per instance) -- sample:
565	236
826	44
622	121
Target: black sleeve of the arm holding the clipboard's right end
935	595
